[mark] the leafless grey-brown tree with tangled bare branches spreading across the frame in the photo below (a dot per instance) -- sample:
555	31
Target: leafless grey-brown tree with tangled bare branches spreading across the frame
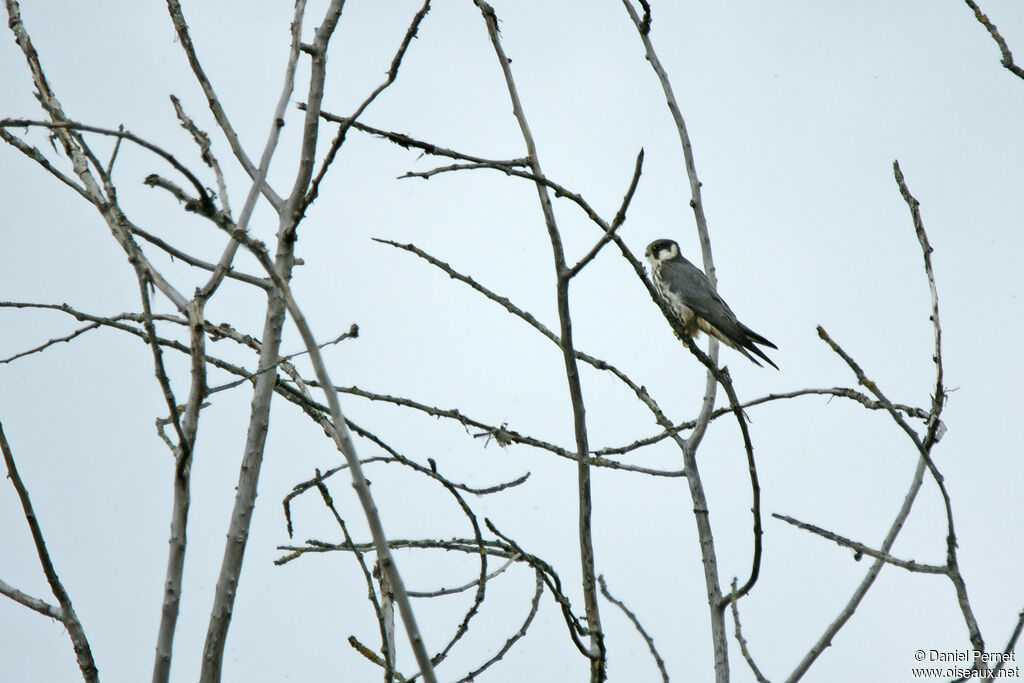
173	322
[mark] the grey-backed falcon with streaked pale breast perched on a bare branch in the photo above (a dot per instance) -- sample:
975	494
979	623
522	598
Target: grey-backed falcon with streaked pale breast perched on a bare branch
696	304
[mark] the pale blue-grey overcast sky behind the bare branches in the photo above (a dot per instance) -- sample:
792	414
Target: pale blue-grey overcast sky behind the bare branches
796	112
